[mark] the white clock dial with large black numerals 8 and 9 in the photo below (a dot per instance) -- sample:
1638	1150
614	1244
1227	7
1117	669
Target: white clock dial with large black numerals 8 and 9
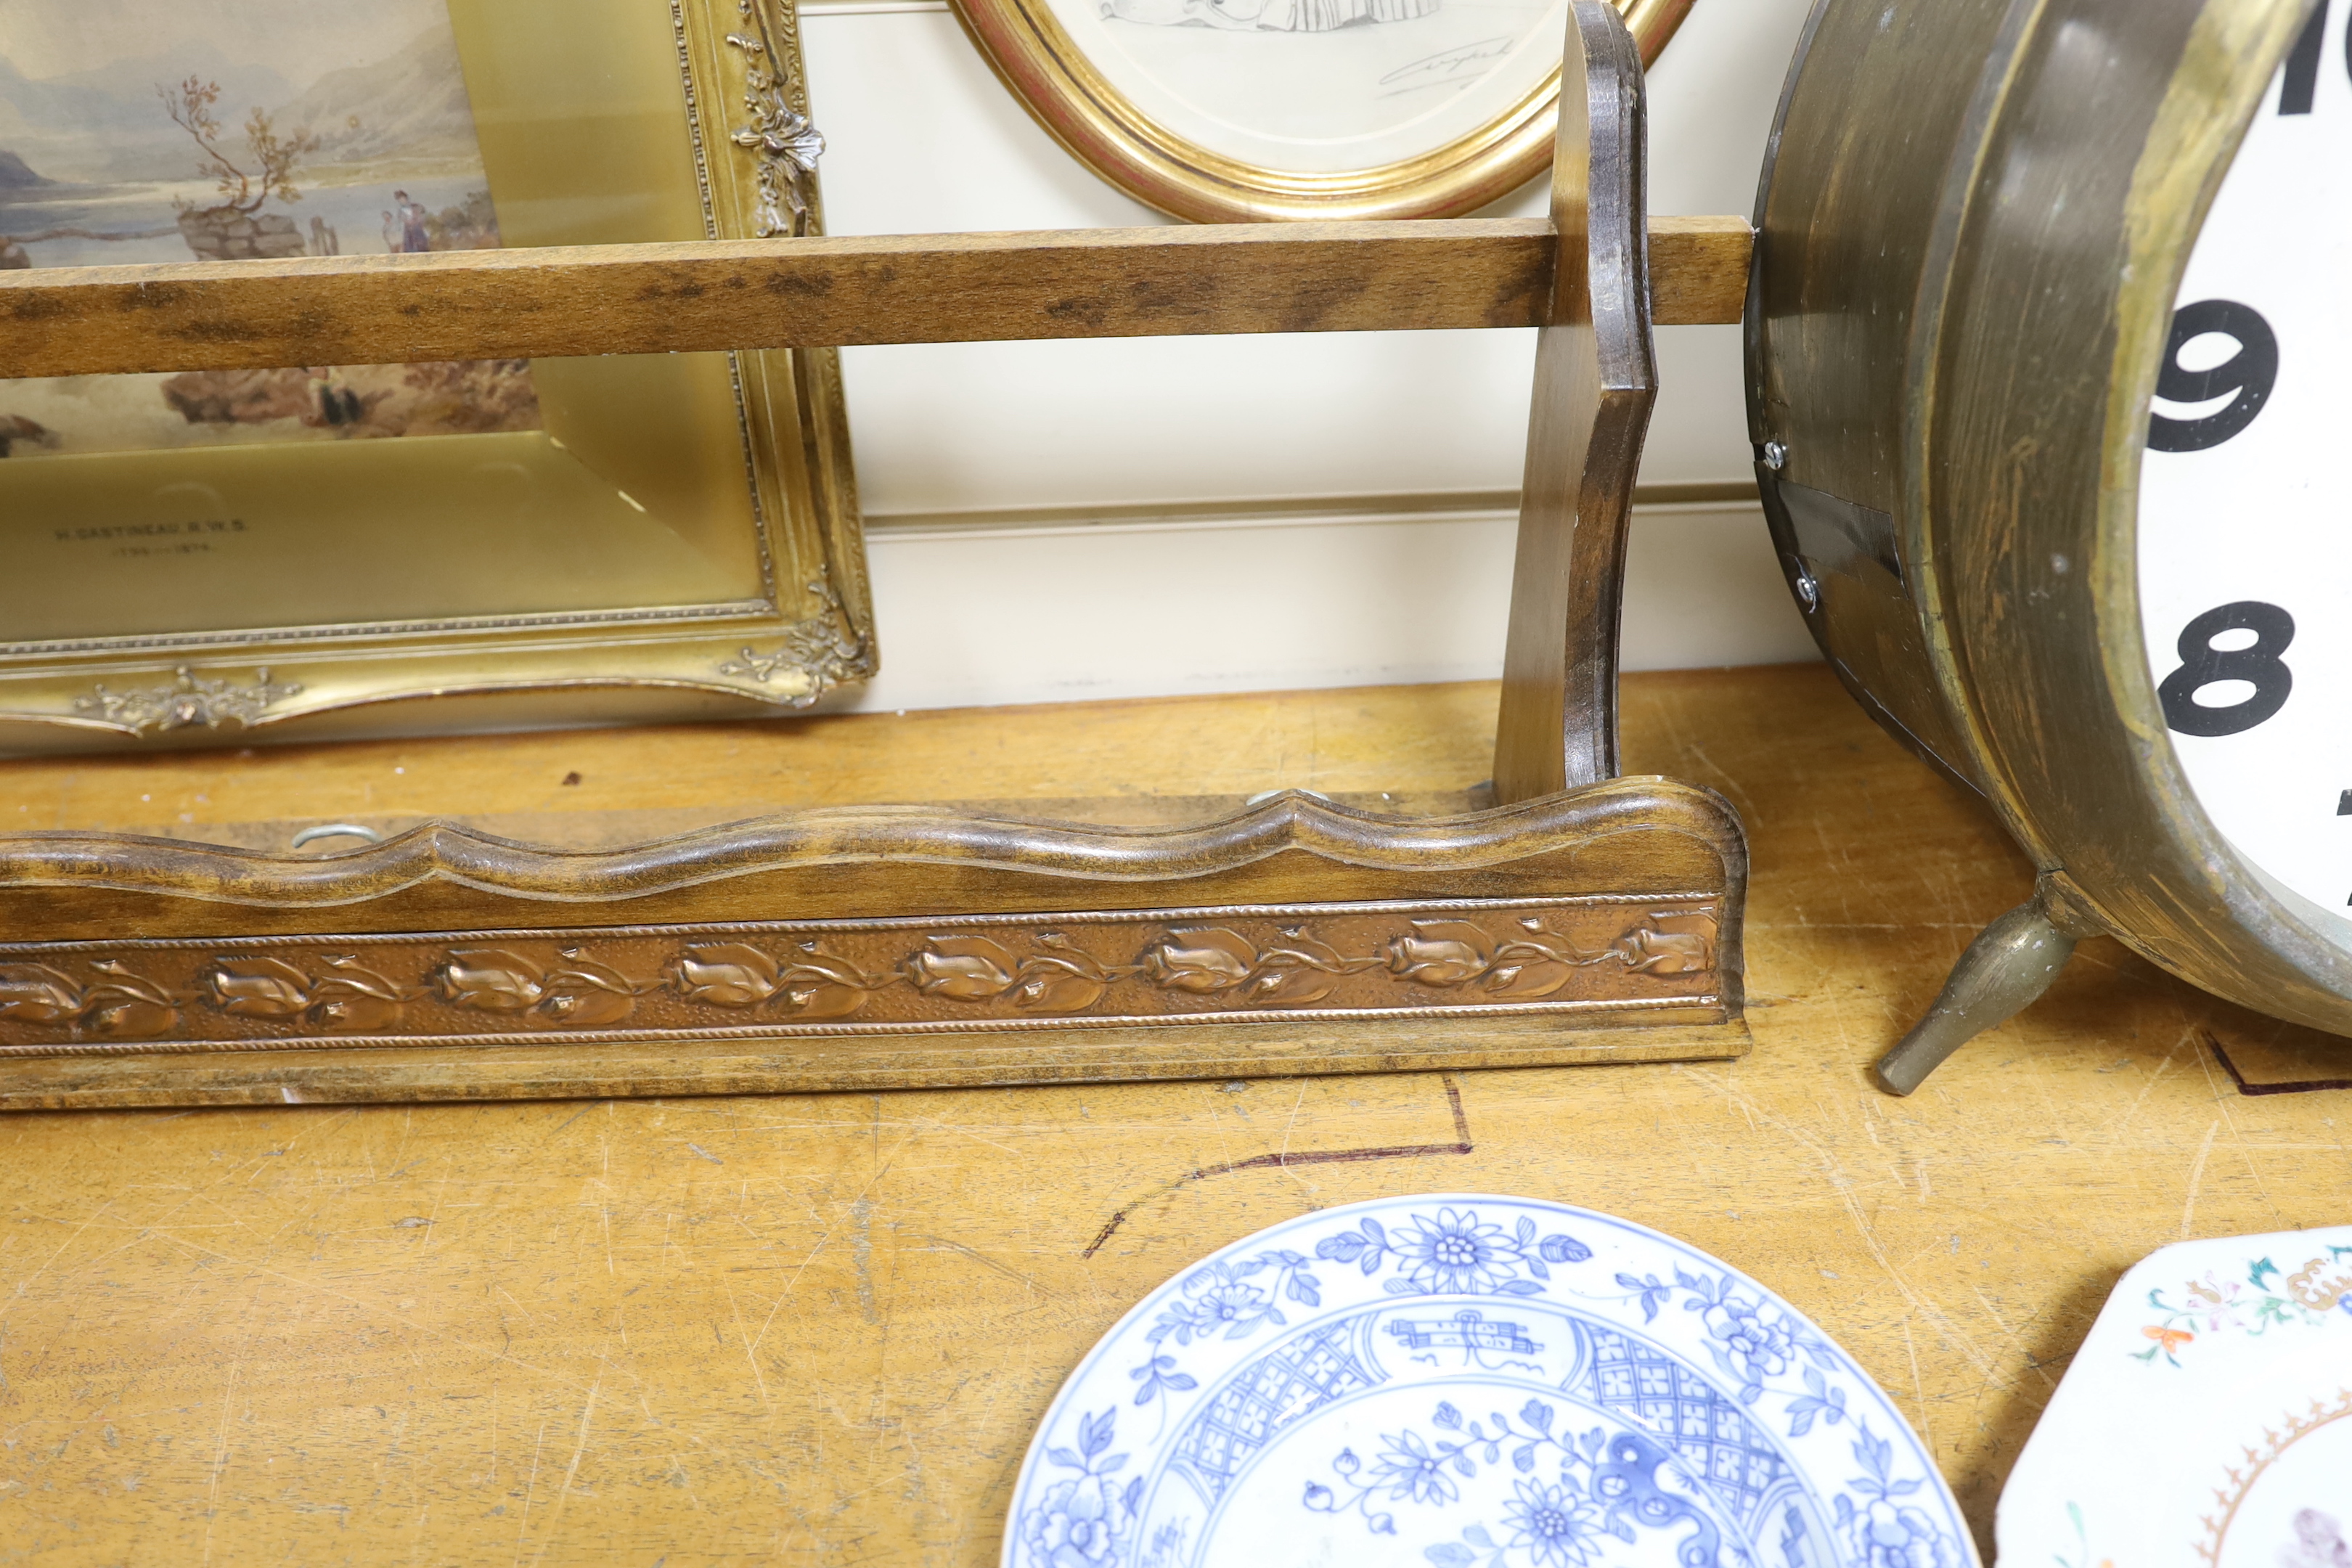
2247	488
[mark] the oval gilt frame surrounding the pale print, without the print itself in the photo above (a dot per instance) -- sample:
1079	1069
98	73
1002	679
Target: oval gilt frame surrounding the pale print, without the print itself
1102	128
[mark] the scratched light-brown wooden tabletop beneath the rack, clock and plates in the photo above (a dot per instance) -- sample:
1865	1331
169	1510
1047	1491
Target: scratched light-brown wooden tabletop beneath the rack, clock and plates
820	1329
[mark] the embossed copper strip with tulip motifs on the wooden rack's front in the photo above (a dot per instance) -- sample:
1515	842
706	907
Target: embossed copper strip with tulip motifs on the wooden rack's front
777	979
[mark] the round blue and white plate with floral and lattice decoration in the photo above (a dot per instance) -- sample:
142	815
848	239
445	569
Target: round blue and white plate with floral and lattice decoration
1474	1383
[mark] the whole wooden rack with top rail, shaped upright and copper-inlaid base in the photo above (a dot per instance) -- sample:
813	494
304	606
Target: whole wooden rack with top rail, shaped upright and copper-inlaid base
1584	918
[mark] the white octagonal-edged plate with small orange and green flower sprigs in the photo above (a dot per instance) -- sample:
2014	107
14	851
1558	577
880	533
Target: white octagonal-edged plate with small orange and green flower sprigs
2207	1419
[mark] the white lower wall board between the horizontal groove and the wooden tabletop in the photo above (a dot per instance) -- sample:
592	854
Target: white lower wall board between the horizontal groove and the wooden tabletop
1057	612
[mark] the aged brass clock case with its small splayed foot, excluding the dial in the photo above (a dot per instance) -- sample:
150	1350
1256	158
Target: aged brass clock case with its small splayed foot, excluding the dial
1972	229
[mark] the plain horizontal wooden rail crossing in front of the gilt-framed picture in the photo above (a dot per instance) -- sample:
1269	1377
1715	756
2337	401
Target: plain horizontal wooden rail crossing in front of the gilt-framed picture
603	300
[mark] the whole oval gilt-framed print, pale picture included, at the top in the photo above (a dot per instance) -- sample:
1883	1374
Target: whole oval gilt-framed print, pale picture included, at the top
1229	112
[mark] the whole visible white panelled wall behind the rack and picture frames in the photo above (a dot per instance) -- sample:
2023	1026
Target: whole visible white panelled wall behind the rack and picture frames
1358	530
